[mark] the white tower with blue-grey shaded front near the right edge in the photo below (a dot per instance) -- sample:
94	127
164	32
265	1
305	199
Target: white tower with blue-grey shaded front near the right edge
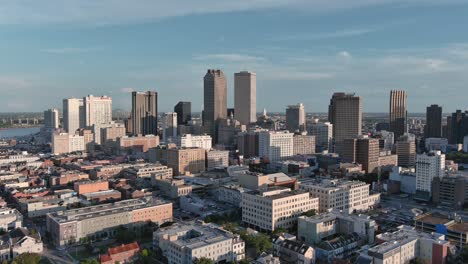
428	166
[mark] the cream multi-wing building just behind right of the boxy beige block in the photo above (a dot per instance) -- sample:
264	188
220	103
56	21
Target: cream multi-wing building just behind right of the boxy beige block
341	194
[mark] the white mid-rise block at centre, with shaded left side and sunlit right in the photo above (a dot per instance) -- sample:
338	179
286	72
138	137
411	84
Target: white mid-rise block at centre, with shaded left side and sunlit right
275	145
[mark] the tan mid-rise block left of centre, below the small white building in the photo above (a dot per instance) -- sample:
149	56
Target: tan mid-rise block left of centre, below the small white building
186	160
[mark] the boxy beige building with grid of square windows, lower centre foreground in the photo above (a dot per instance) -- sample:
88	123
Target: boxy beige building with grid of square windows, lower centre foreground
275	207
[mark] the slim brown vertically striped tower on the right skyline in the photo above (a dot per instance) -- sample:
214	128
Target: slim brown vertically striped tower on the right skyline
398	116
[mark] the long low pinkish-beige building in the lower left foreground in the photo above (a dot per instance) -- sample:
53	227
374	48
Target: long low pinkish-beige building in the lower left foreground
71	226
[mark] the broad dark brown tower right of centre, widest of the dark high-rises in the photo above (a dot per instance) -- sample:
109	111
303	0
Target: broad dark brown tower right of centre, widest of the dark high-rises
345	113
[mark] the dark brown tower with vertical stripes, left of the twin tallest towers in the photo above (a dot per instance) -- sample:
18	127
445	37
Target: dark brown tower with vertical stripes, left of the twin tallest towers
144	116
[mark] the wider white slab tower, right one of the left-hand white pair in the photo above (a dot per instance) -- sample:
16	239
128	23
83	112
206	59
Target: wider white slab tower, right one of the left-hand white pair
98	110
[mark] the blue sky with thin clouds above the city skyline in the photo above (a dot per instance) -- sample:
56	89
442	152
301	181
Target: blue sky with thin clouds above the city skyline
301	50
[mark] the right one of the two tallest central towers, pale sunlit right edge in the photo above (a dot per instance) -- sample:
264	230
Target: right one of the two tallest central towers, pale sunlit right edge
245	97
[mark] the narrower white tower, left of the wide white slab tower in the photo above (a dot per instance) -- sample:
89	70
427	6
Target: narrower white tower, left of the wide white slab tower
73	114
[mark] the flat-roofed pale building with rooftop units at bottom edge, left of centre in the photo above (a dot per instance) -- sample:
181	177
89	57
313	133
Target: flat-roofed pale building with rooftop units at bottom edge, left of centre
184	244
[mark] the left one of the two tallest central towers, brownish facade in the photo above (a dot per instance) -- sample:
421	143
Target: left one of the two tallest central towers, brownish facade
215	100
